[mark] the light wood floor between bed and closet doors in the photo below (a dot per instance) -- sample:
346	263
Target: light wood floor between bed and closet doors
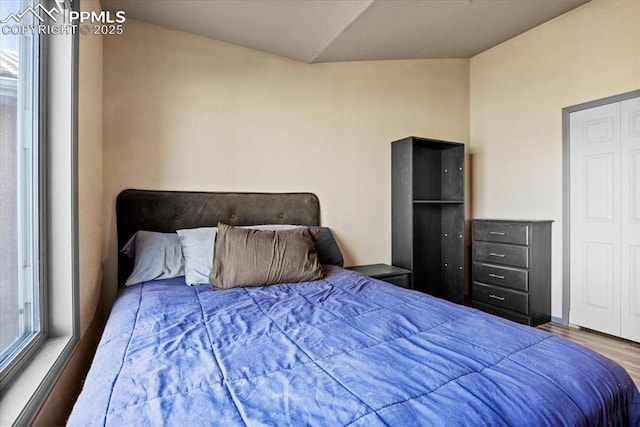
626	353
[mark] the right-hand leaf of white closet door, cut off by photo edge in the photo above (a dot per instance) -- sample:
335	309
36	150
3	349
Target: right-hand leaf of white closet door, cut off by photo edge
630	252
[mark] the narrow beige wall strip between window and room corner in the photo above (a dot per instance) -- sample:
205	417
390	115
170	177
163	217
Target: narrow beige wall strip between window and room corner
90	195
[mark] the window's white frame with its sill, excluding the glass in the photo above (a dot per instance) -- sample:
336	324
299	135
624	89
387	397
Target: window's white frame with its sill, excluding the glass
28	379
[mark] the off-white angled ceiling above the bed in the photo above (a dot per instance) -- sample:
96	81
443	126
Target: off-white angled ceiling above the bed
351	30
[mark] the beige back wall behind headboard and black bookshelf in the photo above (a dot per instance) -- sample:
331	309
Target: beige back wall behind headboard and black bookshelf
184	112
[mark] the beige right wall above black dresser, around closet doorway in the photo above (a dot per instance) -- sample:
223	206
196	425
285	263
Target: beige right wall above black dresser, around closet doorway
518	90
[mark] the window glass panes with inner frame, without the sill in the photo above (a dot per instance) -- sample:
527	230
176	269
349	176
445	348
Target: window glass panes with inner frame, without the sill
20	293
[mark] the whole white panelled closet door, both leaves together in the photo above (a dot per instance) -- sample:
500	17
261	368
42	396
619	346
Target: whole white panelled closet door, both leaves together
605	218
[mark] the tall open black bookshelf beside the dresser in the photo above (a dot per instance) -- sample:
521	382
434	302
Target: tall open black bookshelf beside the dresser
427	212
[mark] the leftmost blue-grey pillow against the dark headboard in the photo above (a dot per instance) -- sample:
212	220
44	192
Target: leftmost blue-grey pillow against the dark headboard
156	256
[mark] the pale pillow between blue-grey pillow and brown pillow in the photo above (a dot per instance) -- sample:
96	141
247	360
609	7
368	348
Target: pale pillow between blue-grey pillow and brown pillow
197	248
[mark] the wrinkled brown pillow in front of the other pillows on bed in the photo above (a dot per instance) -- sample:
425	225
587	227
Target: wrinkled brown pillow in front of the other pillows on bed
246	257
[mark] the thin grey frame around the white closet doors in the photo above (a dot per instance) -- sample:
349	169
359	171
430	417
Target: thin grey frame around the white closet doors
566	191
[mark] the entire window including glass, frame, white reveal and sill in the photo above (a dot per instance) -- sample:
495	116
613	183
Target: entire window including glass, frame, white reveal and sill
38	202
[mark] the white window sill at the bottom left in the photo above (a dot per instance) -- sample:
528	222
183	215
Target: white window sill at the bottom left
21	400
